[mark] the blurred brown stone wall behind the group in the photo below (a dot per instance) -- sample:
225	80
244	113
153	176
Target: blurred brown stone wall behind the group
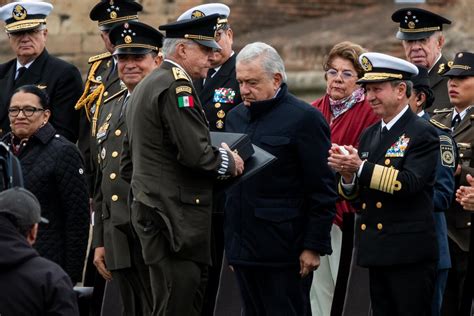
303	31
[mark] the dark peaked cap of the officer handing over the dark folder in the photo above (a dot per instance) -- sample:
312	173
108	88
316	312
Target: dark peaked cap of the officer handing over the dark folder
202	30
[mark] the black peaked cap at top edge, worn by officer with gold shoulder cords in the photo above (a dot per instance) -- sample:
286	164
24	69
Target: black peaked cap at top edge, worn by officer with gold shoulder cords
109	13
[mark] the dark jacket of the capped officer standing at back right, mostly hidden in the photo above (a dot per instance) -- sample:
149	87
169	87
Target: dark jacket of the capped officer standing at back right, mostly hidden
439	85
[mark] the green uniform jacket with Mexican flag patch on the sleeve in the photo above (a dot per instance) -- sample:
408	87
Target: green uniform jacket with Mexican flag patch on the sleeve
174	165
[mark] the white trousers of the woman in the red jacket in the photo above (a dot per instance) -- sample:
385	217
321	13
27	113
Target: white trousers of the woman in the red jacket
324	278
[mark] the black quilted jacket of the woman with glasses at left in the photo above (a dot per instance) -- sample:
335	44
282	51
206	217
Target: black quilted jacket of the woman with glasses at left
53	172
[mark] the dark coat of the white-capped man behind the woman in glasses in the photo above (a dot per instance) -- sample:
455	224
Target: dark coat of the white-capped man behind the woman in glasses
62	82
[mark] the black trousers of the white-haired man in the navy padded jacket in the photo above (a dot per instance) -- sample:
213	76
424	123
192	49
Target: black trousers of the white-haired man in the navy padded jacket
273	291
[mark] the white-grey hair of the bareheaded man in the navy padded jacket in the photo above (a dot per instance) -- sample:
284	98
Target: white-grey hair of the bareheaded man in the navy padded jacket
270	59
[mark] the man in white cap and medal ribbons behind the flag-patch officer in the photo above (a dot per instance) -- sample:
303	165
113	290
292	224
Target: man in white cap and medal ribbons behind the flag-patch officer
219	90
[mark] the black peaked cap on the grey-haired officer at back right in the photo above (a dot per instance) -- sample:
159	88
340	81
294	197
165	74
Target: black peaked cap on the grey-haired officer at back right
416	24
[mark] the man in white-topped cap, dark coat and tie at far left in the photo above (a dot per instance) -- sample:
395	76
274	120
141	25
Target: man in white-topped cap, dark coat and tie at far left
25	24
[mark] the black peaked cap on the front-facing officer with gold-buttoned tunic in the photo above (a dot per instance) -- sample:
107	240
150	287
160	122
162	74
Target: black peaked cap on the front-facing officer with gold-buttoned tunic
135	38
